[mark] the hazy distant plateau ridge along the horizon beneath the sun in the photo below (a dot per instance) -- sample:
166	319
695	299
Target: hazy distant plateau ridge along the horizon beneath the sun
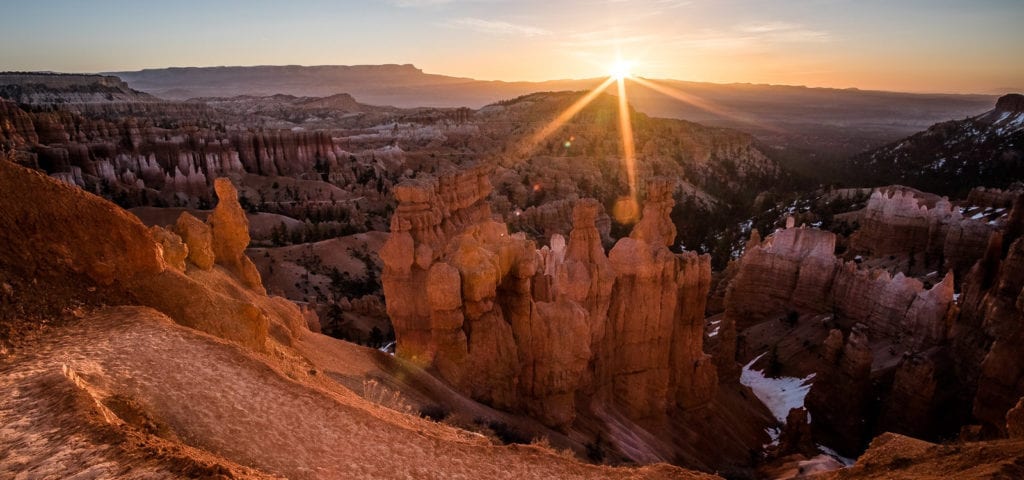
812	129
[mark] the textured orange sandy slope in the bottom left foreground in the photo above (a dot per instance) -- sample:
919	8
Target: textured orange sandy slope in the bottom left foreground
182	387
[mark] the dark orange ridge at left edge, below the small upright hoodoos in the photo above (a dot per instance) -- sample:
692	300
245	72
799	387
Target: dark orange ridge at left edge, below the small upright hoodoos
59	235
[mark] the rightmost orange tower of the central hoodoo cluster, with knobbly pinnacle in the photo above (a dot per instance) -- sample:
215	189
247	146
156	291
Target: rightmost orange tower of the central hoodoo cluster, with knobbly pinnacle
654	356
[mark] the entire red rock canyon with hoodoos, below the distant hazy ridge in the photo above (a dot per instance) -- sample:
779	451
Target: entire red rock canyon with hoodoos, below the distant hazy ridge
516	324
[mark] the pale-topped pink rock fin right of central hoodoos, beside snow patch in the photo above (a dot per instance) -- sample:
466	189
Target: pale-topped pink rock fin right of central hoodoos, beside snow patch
793	276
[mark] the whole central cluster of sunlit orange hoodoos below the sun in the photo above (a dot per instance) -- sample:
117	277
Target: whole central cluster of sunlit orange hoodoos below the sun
534	330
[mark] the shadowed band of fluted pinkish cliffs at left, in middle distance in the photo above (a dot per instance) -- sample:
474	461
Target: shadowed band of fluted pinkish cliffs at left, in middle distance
126	149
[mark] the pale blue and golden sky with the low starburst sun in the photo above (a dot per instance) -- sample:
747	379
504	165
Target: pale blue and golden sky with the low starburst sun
914	46
